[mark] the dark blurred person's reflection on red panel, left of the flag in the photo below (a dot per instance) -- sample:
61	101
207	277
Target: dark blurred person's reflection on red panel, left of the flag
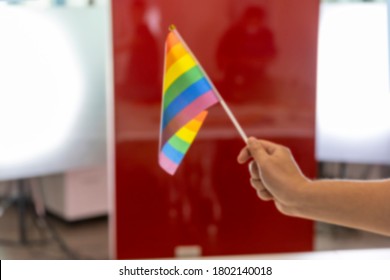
142	65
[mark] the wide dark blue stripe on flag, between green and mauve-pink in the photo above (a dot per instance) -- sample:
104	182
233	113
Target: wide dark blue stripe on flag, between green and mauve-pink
185	99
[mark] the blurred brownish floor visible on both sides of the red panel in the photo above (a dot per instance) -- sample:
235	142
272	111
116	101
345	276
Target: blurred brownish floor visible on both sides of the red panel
89	239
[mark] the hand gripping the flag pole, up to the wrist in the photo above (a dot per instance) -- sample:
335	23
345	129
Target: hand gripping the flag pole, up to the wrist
274	173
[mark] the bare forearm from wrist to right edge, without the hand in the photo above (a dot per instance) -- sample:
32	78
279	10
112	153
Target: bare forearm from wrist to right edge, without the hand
359	204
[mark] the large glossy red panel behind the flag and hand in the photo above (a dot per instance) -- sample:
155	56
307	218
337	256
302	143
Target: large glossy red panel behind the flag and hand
262	59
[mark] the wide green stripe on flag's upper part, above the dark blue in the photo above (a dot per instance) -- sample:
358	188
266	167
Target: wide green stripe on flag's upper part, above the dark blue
182	83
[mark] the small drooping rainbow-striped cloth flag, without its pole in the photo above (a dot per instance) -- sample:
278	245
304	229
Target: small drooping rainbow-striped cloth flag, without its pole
187	93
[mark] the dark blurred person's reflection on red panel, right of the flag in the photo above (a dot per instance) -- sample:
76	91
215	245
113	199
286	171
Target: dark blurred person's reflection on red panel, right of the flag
245	51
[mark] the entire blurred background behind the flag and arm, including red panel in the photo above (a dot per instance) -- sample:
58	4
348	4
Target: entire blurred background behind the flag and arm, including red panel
79	123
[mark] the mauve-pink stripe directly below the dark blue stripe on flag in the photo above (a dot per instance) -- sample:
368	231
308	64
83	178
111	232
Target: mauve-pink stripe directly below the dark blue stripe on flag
203	102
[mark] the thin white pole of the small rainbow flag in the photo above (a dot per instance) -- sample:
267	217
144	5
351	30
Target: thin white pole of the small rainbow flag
216	92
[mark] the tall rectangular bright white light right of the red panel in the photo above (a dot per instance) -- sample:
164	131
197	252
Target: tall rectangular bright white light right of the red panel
353	86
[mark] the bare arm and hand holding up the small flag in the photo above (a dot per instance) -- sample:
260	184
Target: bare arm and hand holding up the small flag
276	177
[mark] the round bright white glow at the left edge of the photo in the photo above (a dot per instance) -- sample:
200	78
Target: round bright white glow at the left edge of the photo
41	85
